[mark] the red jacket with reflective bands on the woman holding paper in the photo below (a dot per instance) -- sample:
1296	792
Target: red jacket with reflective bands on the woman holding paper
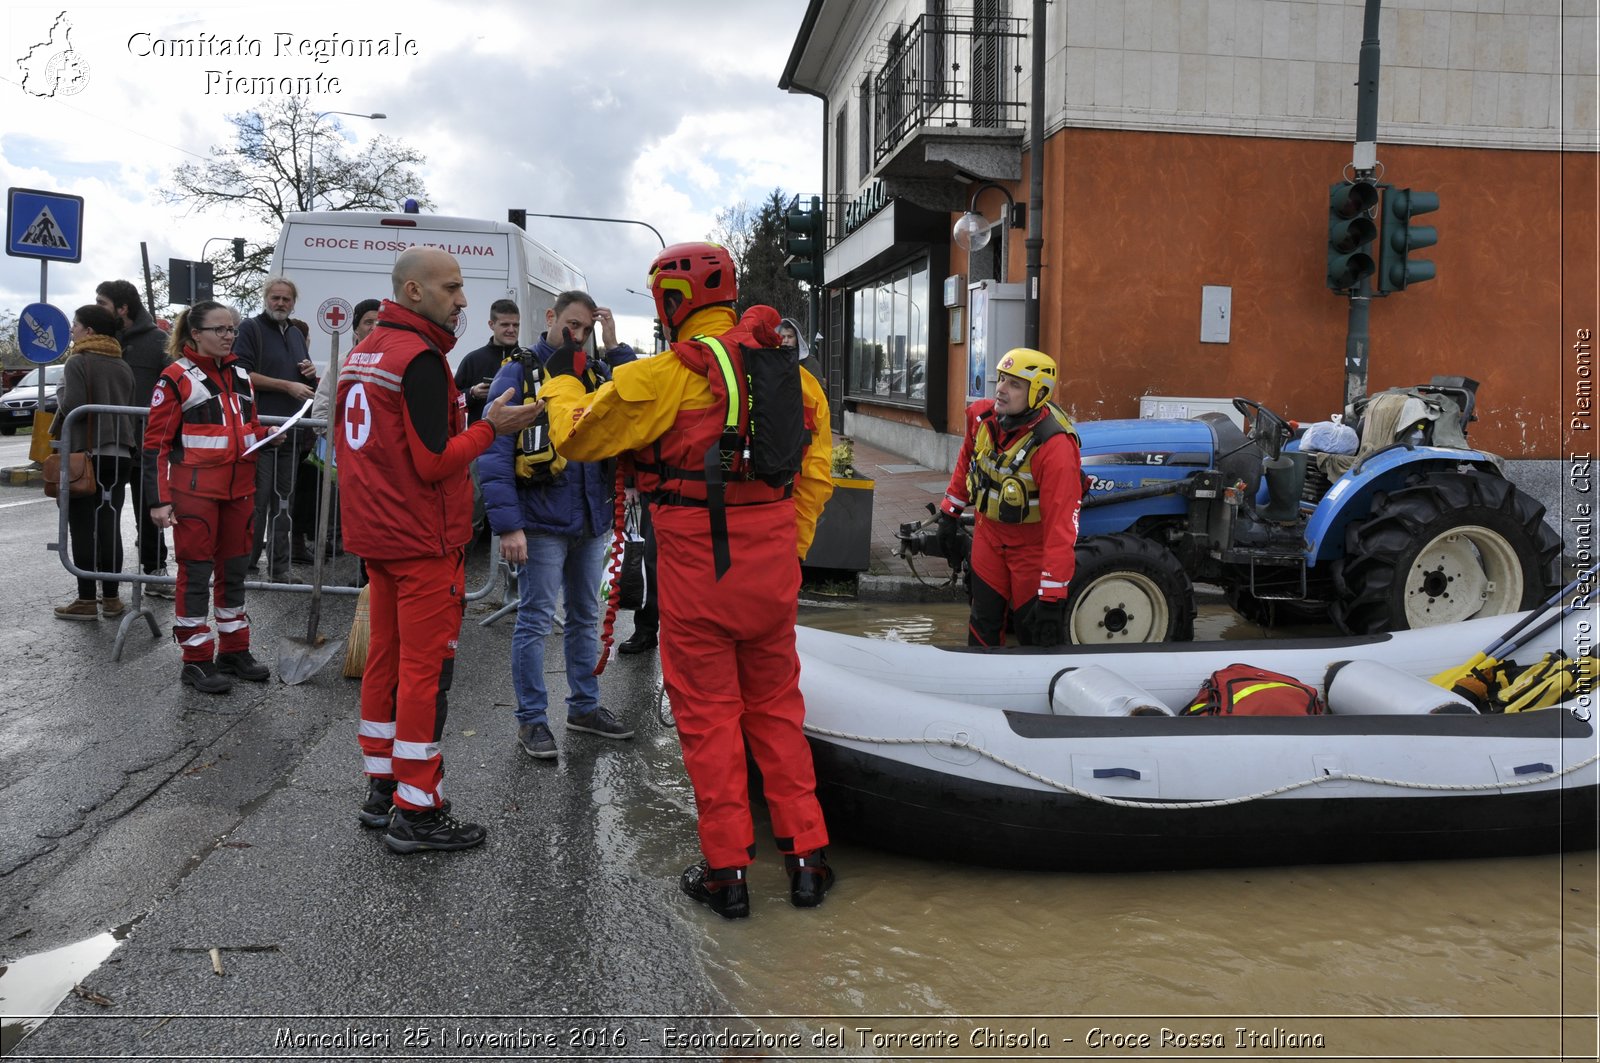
217	425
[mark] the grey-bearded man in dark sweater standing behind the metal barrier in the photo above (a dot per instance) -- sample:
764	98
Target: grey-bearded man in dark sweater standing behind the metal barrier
284	377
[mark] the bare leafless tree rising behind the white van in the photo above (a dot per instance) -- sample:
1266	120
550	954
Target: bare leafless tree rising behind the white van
266	174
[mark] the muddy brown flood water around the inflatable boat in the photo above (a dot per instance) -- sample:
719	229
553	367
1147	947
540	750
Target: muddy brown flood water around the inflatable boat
1434	960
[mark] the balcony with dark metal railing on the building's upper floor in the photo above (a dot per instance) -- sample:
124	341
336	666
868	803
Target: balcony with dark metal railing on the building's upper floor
950	71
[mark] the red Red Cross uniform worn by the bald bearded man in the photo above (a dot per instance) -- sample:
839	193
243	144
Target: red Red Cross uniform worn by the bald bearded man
406	502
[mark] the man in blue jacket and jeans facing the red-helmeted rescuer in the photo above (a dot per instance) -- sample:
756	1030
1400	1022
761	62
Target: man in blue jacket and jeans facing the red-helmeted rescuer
554	519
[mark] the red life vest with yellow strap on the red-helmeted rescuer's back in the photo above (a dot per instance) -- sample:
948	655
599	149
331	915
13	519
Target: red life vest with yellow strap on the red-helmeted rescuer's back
706	457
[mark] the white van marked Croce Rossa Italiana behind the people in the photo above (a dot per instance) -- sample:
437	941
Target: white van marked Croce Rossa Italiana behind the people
350	255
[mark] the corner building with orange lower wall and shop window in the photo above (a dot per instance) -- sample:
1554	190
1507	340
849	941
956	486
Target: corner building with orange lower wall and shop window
1190	146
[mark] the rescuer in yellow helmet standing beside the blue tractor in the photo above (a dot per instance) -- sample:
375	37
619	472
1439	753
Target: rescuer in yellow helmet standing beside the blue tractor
1022	473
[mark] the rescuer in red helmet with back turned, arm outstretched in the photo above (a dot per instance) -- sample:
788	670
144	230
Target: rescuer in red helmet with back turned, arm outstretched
732	524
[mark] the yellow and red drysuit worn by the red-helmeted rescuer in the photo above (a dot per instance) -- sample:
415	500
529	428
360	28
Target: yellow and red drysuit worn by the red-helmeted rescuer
727	644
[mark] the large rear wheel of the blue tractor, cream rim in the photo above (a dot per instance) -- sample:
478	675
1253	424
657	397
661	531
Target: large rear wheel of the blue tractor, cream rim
1449	547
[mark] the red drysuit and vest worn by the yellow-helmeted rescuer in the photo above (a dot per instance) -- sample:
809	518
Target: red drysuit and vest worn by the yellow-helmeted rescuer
1023	548
